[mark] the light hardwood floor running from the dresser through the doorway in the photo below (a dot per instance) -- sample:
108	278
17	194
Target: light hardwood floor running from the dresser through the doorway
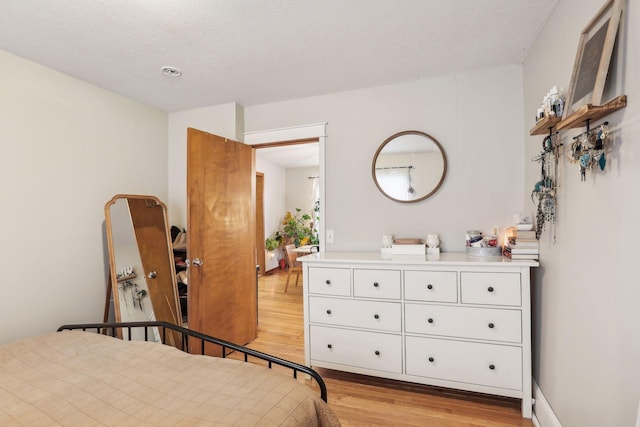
366	401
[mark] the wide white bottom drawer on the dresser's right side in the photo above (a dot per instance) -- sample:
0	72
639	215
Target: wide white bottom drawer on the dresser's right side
476	363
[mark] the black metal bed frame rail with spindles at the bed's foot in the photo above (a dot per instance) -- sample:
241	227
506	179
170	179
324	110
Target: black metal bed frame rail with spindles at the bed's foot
115	330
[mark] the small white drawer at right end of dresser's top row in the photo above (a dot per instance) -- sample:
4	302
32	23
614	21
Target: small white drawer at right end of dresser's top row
491	288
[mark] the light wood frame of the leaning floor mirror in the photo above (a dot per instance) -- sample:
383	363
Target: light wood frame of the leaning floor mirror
112	260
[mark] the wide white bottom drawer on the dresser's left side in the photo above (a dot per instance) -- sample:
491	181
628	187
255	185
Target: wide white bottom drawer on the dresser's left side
369	350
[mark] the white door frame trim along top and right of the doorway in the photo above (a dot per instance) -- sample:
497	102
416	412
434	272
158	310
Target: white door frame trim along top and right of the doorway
293	135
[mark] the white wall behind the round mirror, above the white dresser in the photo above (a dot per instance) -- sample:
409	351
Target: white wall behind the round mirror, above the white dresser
477	118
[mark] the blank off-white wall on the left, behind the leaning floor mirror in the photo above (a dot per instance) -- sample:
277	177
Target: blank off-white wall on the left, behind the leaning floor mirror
67	148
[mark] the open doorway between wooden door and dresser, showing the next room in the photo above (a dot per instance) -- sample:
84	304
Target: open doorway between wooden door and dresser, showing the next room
290	174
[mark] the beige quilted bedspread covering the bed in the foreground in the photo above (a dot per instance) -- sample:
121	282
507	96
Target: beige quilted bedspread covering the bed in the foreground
76	378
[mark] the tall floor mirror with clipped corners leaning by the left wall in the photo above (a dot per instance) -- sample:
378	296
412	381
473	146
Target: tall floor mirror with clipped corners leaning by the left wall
143	280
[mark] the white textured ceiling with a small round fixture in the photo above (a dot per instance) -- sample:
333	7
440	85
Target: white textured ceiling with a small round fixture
259	51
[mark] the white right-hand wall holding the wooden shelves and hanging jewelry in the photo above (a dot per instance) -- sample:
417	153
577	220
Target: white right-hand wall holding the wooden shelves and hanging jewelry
586	293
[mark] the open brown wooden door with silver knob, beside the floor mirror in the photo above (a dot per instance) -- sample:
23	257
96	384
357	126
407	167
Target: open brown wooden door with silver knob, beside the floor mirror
221	230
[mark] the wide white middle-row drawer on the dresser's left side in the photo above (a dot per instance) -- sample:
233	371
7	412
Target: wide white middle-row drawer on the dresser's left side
383	316
